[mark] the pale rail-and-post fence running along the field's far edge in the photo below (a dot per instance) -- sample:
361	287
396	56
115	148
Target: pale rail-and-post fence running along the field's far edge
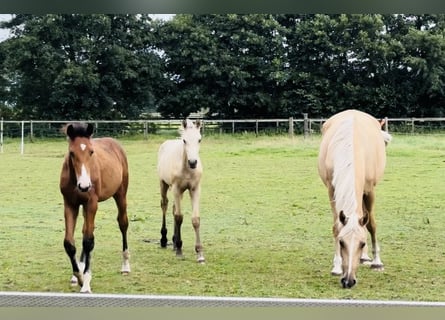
30	130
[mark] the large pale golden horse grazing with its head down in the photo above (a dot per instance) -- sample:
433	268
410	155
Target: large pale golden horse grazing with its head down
351	161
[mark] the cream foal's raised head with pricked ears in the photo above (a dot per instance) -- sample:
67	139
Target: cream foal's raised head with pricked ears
191	137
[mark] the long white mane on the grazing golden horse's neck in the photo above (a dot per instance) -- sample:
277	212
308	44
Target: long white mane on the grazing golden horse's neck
344	171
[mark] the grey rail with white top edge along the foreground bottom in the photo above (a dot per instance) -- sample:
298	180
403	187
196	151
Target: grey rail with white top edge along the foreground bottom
43	299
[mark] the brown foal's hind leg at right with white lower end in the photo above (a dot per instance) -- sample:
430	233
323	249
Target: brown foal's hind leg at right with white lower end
122	219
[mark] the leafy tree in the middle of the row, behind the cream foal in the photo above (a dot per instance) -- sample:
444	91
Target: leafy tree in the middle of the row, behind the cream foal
227	64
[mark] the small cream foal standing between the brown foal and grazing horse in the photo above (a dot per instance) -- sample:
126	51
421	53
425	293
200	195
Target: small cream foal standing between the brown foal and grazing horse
180	168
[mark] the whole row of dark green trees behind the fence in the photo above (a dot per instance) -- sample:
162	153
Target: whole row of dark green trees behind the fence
229	66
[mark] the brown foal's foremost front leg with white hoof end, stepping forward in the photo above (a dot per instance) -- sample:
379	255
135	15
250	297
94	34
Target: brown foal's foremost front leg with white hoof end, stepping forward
88	242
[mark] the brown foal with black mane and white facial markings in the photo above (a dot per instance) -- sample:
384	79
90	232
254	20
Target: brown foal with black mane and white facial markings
93	170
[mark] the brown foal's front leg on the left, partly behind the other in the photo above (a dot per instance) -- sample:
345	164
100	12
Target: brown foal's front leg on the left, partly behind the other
71	214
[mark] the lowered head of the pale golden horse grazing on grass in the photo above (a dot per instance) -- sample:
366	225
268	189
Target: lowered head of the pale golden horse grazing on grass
351	240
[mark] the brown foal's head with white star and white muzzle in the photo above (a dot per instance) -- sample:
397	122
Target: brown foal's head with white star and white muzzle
80	152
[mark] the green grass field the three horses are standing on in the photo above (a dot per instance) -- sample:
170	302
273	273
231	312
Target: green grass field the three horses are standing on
265	223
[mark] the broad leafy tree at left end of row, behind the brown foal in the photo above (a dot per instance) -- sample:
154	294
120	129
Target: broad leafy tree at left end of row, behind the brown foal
75	66
